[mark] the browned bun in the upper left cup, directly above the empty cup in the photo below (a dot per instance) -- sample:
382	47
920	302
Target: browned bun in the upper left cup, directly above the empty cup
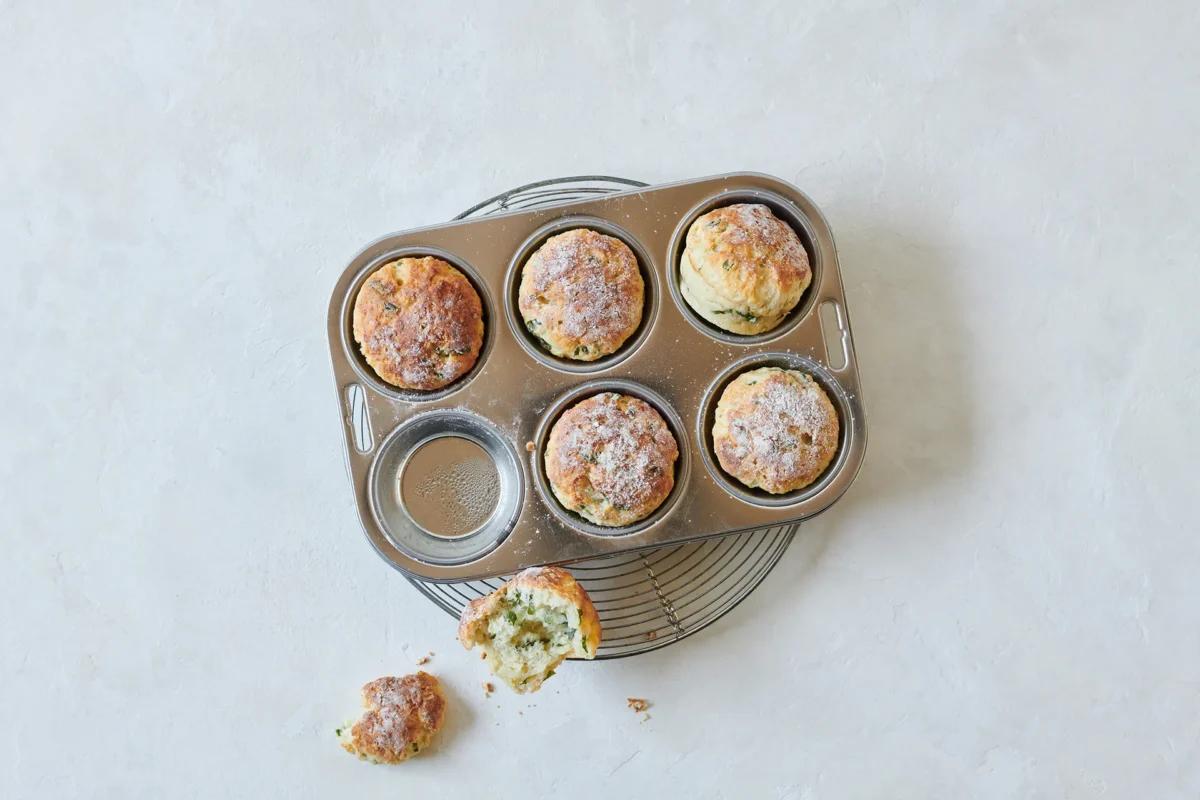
419	323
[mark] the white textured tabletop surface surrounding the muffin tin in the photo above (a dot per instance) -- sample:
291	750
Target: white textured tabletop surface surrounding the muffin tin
1005	606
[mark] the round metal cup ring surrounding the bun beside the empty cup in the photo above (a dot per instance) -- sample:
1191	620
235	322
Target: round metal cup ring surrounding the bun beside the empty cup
578	394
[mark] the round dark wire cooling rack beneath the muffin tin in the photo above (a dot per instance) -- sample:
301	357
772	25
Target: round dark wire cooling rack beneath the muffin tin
650	599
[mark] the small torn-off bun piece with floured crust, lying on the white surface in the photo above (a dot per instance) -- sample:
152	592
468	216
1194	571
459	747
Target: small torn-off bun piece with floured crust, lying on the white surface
403	715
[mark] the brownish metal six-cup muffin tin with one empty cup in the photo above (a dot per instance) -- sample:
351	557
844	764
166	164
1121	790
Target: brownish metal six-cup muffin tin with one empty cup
507	405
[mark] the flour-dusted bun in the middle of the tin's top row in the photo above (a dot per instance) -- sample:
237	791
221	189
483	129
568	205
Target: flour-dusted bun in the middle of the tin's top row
581	294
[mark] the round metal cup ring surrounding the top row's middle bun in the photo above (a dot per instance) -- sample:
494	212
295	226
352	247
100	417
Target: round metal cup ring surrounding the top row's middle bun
652	294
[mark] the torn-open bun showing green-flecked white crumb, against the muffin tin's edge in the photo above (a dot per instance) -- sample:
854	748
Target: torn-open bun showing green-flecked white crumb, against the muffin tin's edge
530	625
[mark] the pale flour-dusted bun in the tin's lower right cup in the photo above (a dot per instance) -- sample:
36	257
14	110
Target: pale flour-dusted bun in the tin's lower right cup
776	430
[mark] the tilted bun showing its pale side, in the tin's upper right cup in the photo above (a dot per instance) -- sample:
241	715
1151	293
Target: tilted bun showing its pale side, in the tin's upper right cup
743	269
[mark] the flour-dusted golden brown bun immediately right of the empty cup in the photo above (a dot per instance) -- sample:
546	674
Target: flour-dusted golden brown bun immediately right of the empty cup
611	460
